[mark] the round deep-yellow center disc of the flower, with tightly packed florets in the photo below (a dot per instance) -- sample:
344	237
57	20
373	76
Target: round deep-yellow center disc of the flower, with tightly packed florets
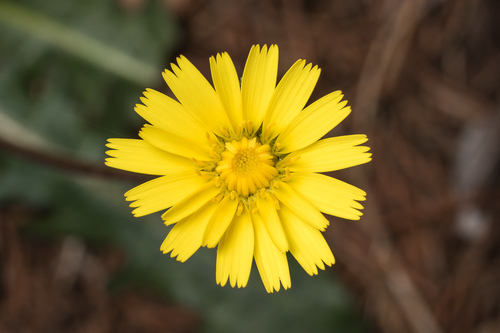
246	166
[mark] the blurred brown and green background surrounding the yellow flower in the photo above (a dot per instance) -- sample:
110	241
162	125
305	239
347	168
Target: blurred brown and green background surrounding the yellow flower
423	80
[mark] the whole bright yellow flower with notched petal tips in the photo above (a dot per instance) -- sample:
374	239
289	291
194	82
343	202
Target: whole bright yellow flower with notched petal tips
240	166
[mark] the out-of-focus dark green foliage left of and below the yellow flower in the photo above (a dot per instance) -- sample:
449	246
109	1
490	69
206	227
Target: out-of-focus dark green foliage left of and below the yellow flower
73	102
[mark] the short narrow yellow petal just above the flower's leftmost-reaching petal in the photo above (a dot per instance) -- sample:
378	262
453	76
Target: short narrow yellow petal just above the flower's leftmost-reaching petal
175	144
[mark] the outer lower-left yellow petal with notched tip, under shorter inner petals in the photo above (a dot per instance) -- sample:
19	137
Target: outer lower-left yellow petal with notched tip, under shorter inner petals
186	236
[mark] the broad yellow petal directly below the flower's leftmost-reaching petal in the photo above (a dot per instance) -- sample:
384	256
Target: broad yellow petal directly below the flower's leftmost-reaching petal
163	192
